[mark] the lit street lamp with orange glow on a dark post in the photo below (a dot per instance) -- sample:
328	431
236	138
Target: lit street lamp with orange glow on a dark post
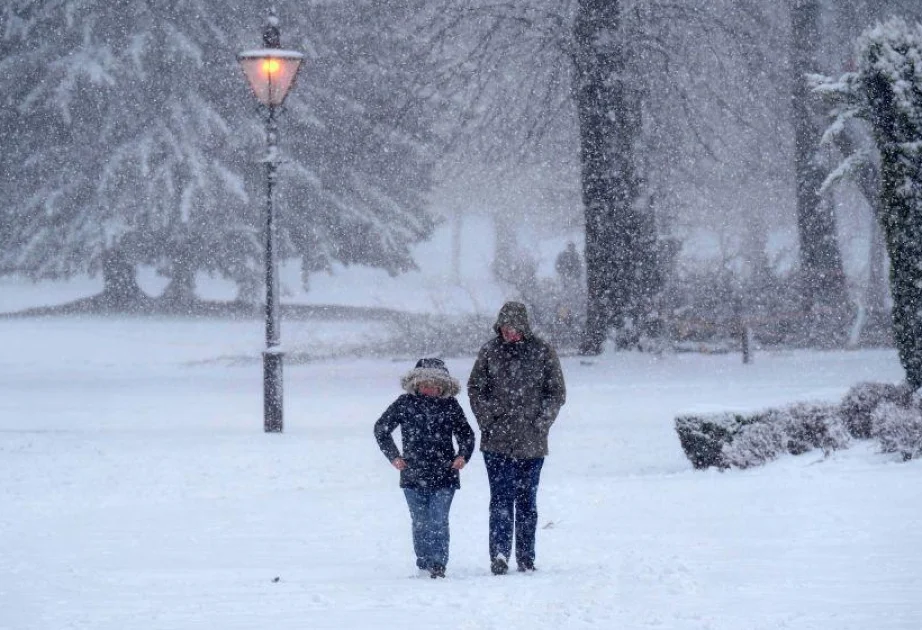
271	72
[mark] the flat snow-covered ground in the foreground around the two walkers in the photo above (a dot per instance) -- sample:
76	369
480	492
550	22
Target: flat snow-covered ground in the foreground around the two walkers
137	491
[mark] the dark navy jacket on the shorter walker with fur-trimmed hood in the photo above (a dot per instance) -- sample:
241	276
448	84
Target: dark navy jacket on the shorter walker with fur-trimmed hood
427	425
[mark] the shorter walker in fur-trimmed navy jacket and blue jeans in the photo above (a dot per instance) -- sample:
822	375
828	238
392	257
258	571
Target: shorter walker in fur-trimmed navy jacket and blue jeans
429	416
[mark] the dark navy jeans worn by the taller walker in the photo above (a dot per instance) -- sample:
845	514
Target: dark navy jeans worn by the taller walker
513	504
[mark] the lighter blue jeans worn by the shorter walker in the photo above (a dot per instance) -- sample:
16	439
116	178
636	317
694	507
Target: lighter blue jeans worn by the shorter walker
429	515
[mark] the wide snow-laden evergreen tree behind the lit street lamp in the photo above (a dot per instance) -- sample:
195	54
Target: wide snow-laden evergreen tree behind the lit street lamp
135	136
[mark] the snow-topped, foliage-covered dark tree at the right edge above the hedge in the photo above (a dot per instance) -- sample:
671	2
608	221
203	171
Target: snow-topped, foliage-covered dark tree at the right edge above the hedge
886	91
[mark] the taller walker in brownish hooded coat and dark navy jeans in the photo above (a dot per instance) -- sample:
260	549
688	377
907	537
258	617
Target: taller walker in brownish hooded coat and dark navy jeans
516	389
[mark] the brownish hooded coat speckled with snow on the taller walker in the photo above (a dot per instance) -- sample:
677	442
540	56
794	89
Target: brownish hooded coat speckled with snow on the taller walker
516	389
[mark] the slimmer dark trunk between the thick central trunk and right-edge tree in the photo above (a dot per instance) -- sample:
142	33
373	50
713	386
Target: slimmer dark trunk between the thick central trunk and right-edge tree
823	289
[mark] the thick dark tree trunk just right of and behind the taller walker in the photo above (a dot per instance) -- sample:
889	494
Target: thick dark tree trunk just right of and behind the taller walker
607	111
